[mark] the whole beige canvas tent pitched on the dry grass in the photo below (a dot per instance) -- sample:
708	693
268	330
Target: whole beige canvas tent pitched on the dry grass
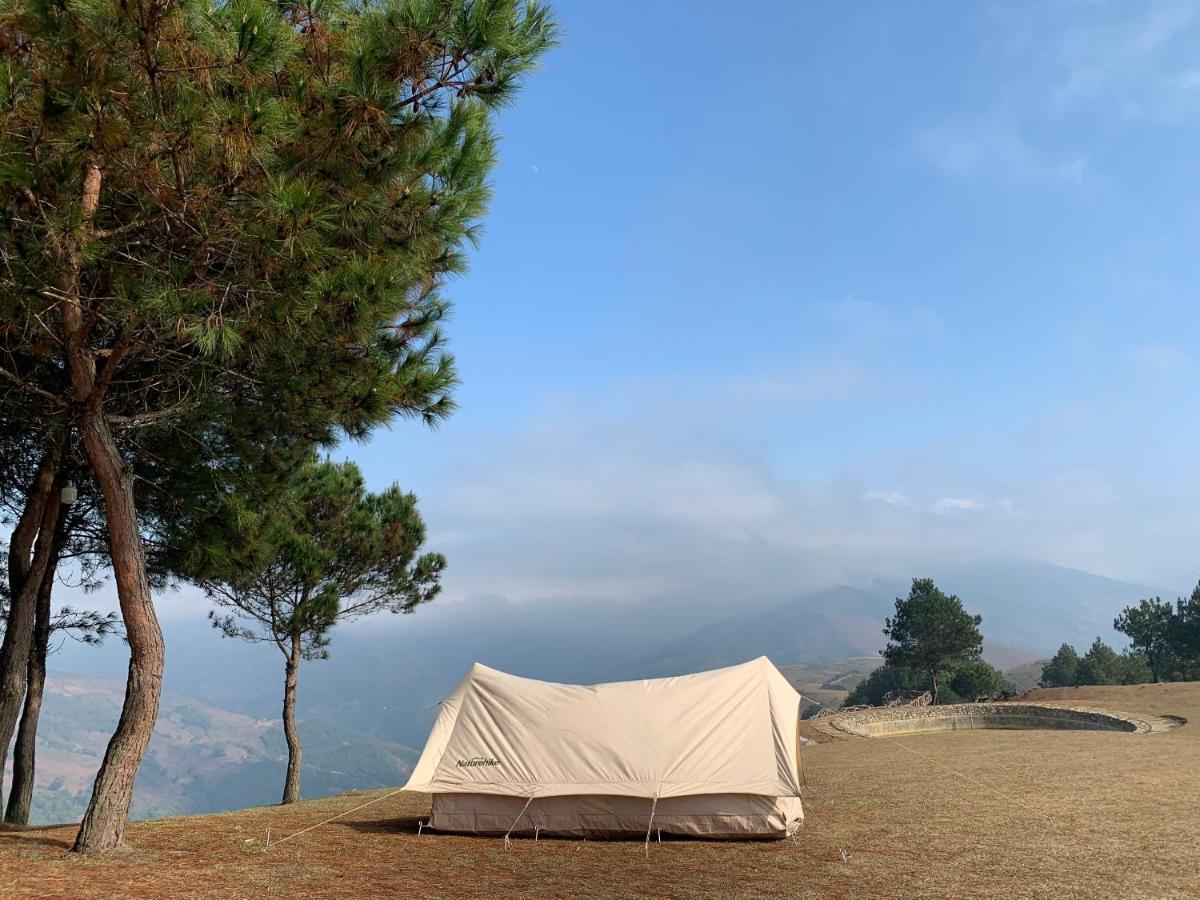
711	755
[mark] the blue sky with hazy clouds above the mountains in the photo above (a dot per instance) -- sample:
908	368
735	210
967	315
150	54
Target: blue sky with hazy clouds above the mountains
791	293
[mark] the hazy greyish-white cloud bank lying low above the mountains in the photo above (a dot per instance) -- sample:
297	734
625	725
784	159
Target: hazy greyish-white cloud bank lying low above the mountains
608	508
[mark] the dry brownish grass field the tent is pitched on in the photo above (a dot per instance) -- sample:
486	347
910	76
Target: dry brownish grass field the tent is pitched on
1082	814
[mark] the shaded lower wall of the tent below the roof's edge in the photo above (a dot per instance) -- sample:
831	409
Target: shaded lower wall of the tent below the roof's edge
723	815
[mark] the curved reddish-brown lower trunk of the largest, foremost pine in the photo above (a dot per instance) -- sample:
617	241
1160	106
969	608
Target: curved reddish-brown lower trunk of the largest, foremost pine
104	825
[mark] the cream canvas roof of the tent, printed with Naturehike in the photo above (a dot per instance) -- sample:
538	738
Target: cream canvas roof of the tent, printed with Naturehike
727	731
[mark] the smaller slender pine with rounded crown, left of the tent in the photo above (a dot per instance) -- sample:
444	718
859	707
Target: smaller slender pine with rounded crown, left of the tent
317	551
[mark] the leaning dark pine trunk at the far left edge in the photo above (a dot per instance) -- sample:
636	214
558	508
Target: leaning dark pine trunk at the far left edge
19	637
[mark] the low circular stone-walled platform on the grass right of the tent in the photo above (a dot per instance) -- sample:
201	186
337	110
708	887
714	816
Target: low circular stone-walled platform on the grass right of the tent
889	722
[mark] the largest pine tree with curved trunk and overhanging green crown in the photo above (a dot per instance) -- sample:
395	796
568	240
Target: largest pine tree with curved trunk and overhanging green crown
226	231
